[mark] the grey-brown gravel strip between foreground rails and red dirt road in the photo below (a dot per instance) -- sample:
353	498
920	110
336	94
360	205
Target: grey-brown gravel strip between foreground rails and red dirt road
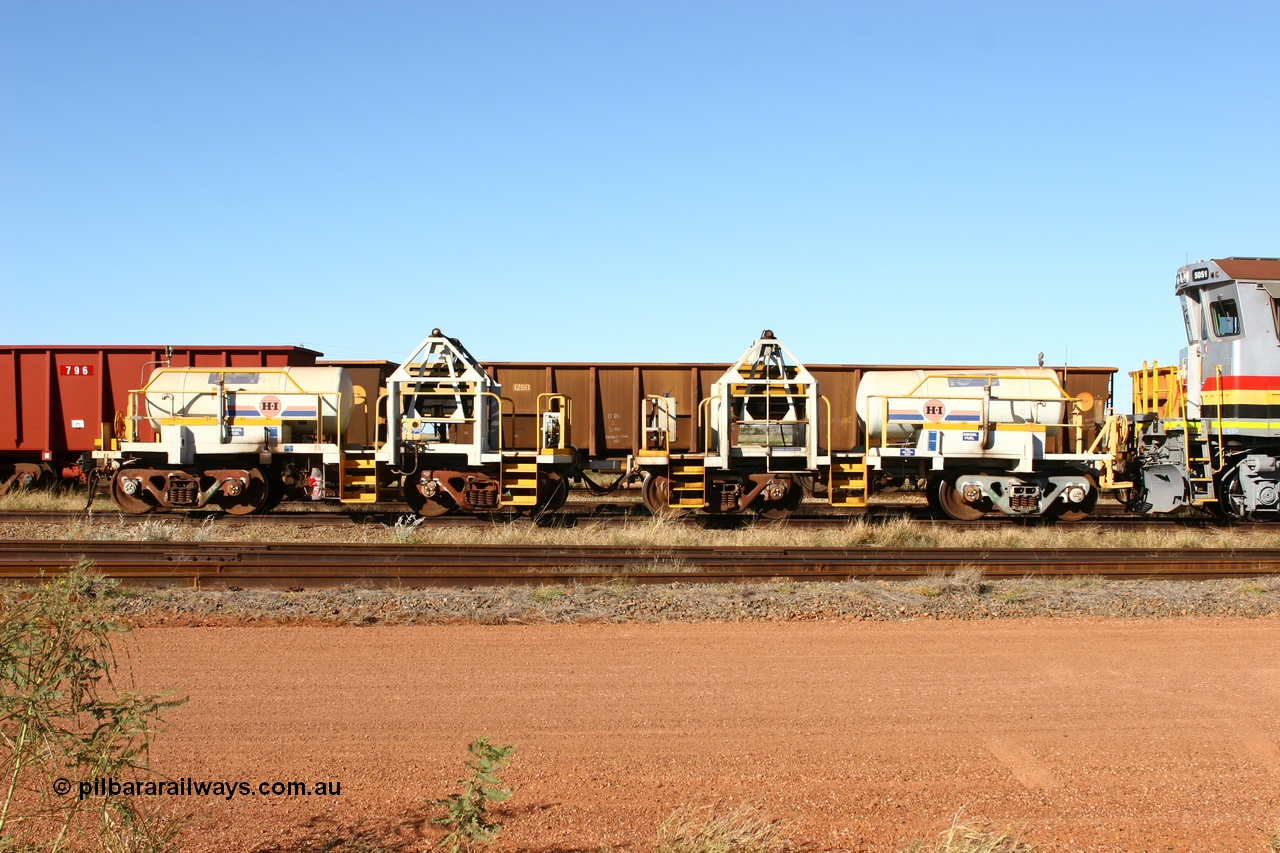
966	596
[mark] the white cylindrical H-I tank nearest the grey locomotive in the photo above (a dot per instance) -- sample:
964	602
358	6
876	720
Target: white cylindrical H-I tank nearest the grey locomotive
906	402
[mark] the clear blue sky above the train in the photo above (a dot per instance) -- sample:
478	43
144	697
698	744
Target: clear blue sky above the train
611	181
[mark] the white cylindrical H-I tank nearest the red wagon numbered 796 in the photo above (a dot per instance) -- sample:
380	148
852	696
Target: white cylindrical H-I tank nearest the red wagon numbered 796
295	396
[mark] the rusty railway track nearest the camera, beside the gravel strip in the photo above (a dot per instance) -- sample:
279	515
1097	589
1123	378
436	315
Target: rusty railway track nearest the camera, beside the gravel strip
307	565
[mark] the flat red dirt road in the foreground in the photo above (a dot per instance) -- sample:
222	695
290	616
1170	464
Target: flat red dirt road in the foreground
1091	736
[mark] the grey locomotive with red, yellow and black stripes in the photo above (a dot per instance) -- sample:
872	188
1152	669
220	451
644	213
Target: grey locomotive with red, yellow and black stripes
1206	434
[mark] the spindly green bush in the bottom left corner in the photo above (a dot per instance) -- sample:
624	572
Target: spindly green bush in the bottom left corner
66	718
